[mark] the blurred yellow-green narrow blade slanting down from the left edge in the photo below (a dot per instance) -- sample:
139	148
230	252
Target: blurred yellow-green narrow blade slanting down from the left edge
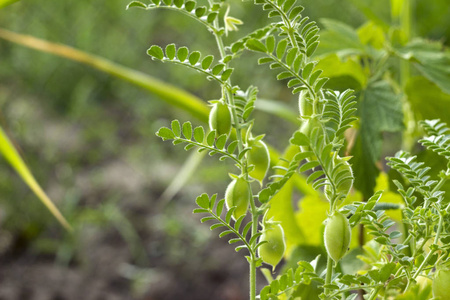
13	157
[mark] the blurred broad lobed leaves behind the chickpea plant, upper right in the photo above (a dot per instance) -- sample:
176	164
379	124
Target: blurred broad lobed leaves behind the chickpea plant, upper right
388	59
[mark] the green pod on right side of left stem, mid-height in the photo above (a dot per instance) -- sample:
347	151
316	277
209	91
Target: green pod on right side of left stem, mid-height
260	158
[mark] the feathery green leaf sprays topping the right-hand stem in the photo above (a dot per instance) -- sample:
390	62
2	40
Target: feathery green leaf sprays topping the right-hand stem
291	54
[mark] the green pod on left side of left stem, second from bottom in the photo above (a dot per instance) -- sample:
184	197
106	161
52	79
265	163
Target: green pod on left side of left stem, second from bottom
238	194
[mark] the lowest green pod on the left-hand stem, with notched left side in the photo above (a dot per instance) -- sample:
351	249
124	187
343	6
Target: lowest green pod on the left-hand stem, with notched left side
273	251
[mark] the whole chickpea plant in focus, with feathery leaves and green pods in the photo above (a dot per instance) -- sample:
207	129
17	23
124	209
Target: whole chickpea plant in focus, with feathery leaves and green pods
394	261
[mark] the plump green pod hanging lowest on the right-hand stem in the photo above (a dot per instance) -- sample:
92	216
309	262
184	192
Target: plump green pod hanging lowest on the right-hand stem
337	236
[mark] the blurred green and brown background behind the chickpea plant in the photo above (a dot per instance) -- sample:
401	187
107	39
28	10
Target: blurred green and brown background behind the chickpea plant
89	140
